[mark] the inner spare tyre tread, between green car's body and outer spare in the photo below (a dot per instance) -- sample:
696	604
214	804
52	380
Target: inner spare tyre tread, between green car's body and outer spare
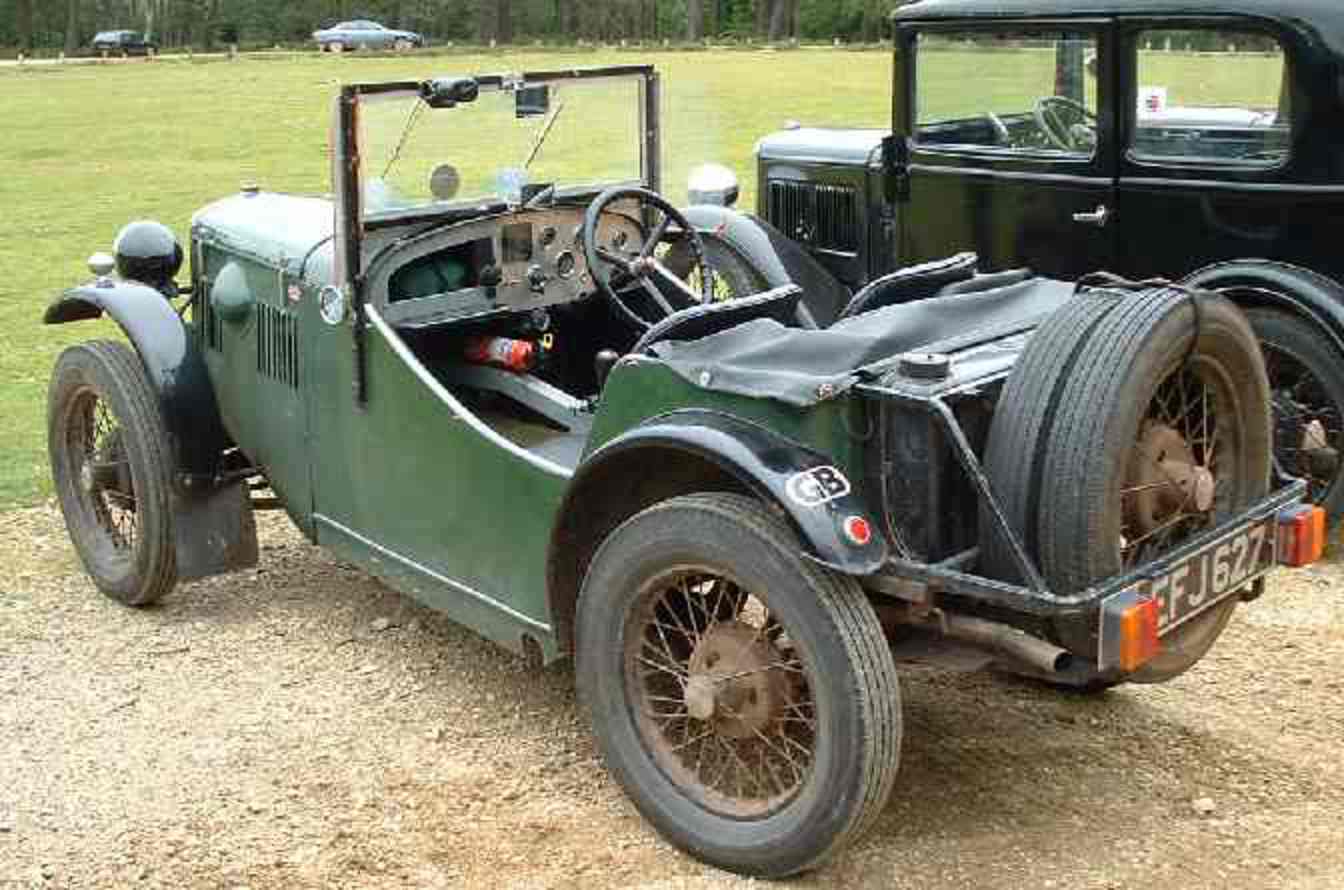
1021	427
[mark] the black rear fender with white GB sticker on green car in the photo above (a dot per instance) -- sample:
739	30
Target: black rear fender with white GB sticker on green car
804	485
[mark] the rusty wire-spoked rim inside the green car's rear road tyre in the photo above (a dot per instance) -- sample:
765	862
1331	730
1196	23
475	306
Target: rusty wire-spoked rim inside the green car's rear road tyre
724	696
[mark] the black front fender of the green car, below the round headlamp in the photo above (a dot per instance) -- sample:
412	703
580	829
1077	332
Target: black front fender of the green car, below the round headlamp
173	361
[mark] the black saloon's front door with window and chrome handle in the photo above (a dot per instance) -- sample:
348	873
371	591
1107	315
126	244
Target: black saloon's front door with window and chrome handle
1010	151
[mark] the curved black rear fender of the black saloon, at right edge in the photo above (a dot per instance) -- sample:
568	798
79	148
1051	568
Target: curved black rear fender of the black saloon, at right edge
1267	283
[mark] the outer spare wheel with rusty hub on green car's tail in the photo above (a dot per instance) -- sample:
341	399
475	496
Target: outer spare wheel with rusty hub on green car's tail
1155	436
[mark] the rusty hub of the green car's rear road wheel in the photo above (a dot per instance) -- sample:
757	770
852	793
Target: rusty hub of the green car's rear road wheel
733	682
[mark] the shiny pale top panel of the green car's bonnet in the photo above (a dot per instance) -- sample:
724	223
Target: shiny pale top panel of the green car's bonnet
286	232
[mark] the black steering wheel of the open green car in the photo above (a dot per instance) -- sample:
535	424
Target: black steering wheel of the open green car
622	270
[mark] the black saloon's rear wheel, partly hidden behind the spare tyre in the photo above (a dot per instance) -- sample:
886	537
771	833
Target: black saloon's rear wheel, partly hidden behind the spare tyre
1307	385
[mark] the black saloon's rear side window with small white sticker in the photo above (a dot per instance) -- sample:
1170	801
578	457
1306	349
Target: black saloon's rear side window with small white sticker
1210	96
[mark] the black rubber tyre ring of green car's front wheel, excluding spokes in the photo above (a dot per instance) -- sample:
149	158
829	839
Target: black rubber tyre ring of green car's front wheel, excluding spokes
154	483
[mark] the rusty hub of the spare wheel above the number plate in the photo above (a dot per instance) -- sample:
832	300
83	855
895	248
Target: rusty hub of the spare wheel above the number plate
1167	479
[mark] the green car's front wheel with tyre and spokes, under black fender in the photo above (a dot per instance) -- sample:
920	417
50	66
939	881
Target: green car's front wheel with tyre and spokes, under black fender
112	471
